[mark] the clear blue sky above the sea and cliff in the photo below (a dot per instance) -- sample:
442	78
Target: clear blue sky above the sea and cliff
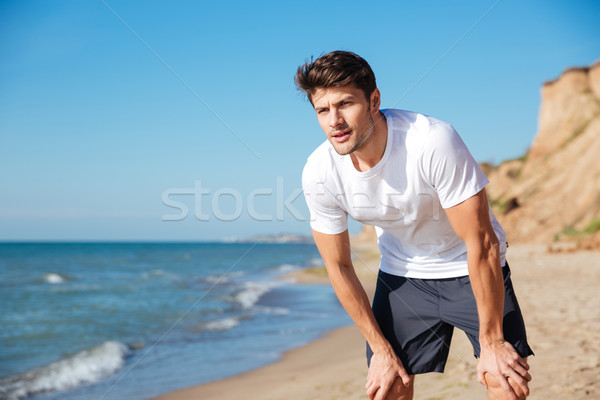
105	106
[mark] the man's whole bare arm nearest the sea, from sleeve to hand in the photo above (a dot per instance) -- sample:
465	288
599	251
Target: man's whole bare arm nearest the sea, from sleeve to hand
385	365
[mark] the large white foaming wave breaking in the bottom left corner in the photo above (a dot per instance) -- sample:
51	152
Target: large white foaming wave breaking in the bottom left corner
86	366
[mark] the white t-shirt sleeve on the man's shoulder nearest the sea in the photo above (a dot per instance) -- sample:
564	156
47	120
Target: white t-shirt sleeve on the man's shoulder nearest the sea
326	216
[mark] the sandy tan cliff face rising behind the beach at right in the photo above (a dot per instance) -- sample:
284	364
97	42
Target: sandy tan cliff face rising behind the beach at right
557	184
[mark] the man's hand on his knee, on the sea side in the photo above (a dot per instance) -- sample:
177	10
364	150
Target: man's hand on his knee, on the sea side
383	371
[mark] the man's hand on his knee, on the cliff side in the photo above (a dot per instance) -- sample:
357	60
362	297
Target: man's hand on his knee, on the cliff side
502	361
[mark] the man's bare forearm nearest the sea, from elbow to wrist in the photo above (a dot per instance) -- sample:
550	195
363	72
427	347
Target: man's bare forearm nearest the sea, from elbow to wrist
353	298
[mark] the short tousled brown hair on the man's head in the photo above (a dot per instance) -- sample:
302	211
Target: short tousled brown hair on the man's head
335	69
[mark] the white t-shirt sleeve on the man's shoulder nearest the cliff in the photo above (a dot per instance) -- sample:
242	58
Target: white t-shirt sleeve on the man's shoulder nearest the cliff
449	167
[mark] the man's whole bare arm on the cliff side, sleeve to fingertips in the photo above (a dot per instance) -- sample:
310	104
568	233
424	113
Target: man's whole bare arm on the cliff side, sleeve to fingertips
471	222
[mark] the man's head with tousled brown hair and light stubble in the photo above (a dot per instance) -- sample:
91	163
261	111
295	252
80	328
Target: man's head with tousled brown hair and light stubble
341	87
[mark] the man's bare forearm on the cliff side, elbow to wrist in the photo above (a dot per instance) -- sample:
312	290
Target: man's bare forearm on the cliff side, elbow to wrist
488	287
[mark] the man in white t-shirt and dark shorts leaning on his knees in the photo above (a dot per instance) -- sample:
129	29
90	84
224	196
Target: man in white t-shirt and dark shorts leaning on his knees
442	250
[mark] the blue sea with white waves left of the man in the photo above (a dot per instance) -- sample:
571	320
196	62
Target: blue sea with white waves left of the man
136	320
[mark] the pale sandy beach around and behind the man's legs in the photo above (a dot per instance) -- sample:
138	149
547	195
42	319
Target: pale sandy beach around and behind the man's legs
558	293
